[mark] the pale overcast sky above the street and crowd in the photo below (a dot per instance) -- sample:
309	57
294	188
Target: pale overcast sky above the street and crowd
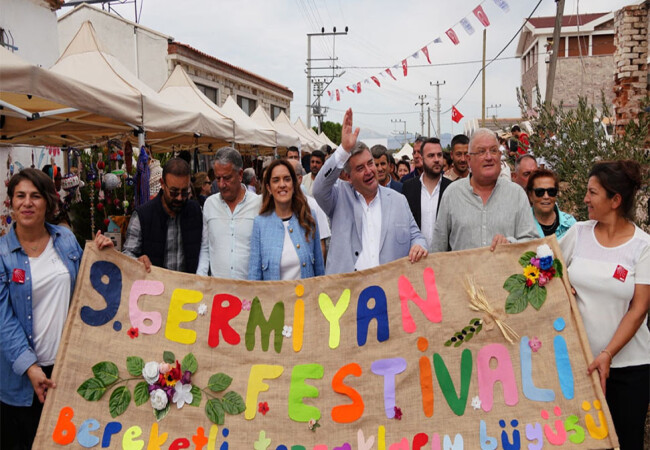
270	39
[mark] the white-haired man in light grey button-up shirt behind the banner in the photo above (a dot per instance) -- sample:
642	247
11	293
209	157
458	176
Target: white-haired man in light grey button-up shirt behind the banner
483	209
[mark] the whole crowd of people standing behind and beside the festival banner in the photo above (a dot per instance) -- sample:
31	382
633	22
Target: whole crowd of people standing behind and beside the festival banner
356	209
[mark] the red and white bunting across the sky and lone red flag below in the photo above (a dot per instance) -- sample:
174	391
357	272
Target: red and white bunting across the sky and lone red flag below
479	14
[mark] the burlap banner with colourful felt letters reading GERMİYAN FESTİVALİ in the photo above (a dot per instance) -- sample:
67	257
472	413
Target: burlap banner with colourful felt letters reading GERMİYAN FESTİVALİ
401	356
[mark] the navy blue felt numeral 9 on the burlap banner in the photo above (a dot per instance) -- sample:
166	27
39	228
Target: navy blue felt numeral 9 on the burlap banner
111	291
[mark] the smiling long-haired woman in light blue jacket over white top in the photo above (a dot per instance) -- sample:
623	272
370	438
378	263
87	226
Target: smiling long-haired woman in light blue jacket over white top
285	243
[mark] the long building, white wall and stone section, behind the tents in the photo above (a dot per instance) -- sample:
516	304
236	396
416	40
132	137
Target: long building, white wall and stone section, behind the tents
152	56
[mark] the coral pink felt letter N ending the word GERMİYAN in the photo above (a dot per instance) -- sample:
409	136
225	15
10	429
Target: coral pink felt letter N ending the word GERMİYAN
429	307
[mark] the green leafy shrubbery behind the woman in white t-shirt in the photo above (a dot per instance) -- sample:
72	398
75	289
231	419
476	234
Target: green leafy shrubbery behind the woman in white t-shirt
573	139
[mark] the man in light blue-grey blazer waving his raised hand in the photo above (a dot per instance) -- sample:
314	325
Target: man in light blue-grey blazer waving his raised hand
371	224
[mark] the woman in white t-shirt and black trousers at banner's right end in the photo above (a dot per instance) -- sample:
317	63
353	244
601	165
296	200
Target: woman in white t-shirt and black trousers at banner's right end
608	261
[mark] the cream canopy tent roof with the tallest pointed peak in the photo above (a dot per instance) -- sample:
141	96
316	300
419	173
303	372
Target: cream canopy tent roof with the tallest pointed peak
165	124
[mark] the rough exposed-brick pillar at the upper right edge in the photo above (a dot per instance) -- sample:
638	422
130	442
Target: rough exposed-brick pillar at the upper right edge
631	59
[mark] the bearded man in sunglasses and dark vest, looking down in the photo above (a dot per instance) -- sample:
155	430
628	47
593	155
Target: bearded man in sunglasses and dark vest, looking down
166	231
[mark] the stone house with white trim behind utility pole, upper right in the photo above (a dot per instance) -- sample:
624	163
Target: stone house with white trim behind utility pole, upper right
585	59
